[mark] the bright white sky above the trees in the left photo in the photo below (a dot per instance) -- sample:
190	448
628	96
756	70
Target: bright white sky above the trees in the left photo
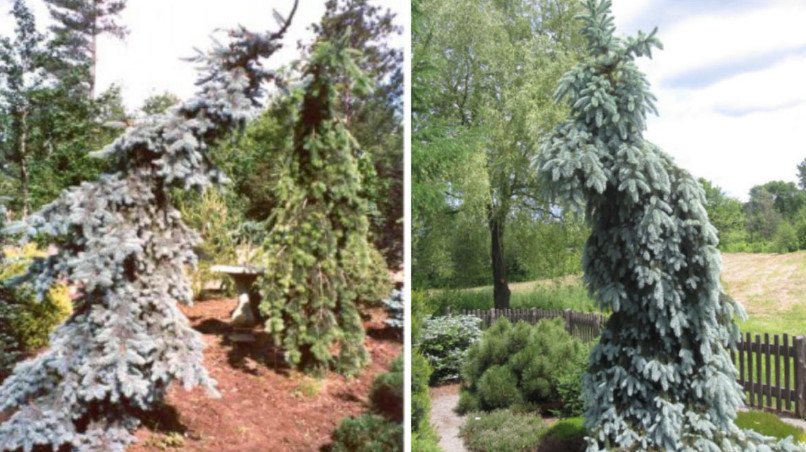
149	61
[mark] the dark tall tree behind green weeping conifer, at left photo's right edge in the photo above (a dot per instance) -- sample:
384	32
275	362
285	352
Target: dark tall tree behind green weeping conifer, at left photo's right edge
374	118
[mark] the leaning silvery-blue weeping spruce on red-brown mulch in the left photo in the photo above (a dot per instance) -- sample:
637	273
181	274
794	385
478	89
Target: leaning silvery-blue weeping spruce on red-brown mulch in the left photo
122	243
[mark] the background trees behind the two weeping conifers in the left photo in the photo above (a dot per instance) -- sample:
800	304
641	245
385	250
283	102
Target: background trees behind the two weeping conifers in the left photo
51	116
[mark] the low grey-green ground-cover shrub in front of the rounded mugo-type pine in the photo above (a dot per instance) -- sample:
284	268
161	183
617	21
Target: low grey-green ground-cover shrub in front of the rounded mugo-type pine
502	431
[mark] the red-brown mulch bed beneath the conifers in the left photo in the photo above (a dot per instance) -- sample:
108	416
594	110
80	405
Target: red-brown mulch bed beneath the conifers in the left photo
264	406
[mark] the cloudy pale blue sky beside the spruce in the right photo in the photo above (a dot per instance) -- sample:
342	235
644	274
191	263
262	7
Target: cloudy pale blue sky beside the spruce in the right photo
730	83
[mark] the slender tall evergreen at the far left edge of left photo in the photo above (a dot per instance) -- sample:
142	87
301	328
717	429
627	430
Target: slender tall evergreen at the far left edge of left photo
21	82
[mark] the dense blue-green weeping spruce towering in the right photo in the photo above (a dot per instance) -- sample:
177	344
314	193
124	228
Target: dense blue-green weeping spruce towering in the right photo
661	377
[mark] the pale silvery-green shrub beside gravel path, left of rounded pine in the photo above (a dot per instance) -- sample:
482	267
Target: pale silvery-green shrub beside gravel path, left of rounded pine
444	341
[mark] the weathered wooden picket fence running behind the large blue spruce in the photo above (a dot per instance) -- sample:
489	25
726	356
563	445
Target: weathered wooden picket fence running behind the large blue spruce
771	368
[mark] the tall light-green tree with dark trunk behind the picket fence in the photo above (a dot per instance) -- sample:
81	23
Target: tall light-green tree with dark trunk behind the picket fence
484	74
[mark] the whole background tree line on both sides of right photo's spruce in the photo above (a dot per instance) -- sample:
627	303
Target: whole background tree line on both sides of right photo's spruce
484	74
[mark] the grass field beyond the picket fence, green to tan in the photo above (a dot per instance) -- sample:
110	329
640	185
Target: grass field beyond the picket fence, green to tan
770	287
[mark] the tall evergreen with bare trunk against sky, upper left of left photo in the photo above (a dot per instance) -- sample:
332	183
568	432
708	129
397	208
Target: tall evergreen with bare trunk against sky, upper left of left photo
78	25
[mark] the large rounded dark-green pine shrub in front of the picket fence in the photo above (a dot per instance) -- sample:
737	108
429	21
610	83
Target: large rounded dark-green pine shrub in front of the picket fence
522	364
